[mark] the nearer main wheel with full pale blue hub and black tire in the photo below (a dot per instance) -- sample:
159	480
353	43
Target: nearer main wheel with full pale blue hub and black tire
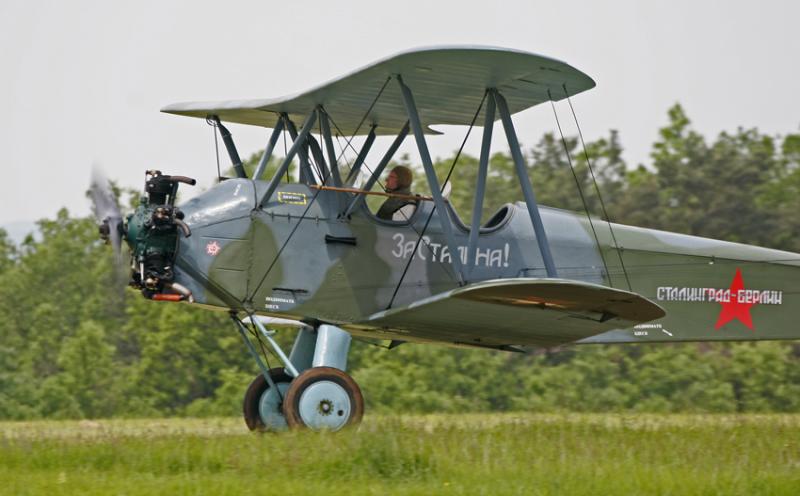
323	398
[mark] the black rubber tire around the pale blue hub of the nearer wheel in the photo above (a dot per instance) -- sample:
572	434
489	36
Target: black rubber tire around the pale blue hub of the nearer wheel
291	410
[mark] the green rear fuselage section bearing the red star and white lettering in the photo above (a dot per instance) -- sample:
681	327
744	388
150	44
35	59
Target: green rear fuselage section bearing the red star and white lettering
711	290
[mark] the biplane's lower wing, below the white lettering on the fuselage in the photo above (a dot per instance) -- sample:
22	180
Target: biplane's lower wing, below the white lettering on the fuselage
506	312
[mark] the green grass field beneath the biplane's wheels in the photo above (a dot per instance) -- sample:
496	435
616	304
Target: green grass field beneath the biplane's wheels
469	454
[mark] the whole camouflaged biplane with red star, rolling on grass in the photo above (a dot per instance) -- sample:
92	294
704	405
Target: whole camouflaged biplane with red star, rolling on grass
309	251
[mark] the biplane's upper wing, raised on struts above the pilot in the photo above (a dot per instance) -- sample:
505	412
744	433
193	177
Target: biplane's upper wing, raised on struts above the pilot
448	84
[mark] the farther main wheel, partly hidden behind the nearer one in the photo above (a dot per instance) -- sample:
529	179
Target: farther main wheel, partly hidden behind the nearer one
263	406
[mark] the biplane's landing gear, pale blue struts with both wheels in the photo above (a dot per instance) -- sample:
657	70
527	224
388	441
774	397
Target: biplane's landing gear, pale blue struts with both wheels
313	390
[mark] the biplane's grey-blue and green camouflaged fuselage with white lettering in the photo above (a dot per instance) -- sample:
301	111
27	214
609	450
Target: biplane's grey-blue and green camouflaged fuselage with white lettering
295	257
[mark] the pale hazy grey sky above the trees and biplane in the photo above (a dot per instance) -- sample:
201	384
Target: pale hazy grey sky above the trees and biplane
83	81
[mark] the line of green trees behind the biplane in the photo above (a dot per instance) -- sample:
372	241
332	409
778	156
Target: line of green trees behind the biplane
75	344
